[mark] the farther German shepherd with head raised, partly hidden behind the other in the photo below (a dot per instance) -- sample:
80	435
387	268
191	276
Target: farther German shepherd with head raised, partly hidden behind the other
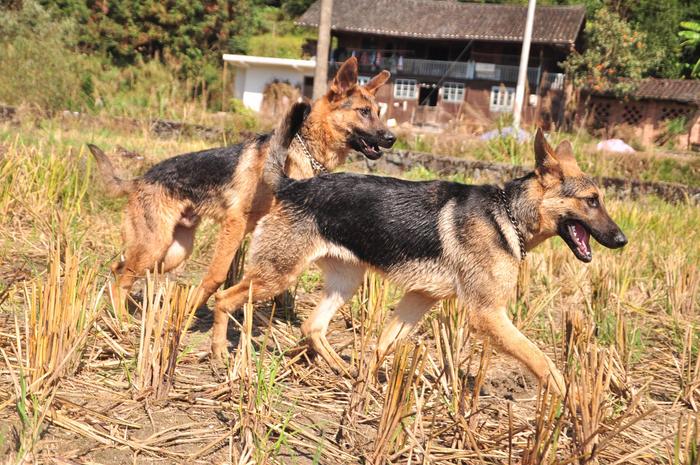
167	203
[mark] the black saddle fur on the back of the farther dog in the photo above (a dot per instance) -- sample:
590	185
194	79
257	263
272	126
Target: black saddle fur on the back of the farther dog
193	176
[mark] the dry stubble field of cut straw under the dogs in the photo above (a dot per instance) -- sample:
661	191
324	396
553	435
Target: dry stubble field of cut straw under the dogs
83	383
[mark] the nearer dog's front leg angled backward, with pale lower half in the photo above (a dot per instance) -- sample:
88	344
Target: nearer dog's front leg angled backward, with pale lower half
409	311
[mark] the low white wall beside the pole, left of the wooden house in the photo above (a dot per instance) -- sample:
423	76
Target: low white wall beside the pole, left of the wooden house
250	82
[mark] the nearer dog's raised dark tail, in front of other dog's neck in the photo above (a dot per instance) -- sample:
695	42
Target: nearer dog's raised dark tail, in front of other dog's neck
274	174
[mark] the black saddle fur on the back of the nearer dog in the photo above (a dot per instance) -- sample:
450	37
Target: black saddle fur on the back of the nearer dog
383	221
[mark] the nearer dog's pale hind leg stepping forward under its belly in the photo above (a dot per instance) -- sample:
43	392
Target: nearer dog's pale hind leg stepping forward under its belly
341	281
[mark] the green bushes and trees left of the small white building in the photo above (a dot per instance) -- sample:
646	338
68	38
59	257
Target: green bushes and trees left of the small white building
134	58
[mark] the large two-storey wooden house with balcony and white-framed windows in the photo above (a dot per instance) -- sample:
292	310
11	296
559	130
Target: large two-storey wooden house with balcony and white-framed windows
450	59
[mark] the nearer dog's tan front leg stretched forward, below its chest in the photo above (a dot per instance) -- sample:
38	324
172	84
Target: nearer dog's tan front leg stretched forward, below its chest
496	324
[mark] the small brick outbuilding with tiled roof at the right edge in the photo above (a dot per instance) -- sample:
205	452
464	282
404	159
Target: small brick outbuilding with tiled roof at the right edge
657	111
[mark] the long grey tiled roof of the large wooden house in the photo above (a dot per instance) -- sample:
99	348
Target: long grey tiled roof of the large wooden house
449	19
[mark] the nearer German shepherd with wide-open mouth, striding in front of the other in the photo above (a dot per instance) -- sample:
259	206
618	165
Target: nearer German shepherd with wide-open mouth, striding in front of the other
435	239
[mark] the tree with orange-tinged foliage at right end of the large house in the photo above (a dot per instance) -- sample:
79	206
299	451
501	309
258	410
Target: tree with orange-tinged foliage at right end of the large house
615	56
